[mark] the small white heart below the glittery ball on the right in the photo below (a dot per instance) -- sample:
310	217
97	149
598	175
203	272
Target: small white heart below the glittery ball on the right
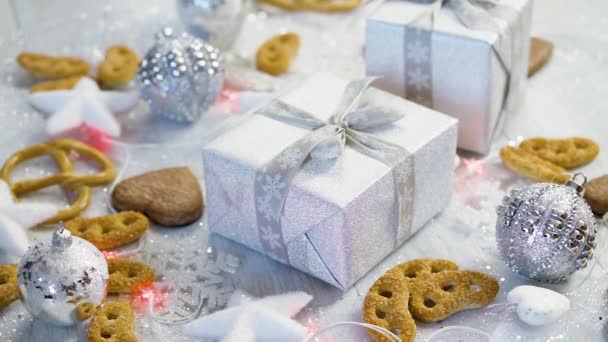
537	305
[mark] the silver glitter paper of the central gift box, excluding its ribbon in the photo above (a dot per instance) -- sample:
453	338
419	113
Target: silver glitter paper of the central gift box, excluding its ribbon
339	219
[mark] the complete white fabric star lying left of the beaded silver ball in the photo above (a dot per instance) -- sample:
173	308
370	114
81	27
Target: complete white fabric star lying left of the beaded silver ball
86	103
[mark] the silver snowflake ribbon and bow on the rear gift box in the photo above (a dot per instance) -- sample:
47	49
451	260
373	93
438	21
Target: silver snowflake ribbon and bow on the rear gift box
482	15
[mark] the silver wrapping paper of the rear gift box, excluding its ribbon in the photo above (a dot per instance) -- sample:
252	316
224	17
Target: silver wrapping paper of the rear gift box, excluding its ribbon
467	79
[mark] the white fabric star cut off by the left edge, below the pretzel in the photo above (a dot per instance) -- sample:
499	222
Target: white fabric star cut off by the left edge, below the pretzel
16	217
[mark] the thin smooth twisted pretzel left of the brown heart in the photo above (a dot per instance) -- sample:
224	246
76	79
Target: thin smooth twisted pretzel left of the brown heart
59	151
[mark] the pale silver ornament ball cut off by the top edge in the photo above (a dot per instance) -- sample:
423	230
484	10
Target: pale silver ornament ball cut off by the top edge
216	21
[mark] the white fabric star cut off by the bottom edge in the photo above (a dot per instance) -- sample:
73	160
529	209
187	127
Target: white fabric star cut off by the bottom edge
254	320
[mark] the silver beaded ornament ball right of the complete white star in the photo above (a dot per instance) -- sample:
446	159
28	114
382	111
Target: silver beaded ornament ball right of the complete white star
180	77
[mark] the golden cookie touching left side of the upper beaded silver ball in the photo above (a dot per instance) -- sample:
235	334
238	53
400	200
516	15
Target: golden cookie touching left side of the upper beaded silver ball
118	68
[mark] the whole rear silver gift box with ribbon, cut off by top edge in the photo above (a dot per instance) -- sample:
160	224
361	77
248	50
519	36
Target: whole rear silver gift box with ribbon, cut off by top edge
464	58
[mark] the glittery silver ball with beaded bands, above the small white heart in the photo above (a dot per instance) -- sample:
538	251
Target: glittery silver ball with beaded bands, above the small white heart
546	231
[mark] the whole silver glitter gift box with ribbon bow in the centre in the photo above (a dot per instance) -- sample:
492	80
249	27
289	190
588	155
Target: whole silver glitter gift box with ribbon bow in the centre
335	199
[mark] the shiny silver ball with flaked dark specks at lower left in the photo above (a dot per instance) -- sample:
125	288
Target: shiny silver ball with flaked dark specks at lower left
57	275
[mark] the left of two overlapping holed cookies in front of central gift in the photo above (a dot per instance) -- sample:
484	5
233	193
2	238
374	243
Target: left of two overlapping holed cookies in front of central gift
386	305
